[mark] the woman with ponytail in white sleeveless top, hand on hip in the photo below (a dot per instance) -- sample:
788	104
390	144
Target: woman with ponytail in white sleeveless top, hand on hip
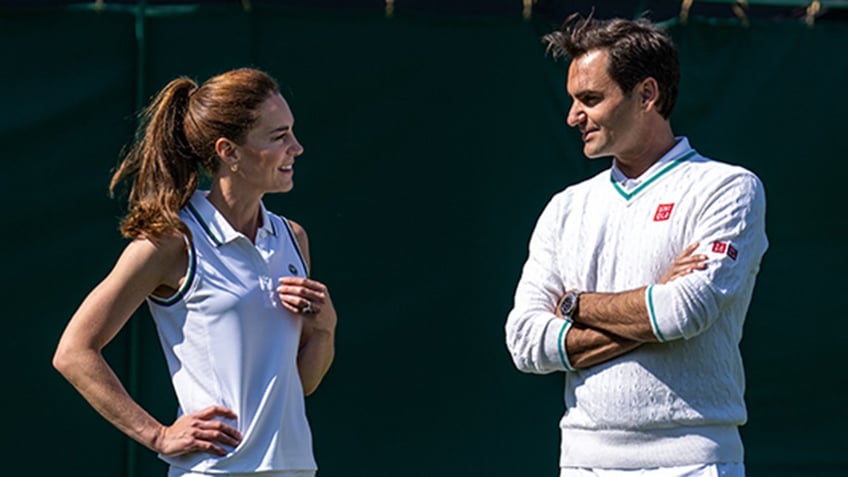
245	332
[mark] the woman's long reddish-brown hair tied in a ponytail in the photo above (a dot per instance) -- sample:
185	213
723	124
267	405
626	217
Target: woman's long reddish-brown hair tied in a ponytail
176	139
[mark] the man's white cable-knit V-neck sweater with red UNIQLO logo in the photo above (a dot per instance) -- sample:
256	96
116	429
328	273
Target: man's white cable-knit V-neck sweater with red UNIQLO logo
679	401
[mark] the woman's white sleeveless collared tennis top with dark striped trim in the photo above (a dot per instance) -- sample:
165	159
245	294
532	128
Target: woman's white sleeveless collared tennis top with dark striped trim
229	341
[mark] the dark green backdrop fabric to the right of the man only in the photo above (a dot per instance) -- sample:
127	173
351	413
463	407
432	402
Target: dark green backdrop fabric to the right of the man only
771	97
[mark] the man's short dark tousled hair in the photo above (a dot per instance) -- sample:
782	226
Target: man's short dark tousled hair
637	49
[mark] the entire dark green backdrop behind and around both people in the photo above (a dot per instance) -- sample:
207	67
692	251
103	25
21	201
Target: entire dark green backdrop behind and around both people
431	146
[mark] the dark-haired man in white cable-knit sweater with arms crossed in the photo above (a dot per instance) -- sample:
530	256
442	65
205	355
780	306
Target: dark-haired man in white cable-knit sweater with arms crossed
638	279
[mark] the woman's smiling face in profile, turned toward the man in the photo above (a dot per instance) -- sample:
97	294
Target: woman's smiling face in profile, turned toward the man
266	158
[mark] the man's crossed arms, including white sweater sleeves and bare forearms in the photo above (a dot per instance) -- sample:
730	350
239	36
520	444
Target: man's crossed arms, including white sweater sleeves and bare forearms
683	304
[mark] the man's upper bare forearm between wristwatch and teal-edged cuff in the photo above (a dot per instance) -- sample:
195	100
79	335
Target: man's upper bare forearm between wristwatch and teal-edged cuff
623	314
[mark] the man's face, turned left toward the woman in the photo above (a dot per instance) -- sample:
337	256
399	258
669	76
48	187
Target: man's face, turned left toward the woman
608	119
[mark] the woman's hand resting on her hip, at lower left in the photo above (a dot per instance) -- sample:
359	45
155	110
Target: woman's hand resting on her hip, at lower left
198	432
